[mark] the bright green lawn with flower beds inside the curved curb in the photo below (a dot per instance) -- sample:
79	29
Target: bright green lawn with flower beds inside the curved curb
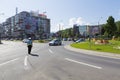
112	47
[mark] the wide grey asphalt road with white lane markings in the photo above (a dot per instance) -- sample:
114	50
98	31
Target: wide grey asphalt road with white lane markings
53	63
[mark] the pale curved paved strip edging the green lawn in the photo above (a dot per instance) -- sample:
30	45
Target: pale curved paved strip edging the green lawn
90	52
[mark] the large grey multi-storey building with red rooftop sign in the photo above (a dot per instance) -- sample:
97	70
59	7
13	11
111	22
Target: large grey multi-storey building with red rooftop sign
27	24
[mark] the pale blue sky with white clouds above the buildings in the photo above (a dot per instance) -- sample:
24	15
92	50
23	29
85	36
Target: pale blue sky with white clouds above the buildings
64	13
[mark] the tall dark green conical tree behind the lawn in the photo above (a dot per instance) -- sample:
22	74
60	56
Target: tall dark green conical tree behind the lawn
110	27
